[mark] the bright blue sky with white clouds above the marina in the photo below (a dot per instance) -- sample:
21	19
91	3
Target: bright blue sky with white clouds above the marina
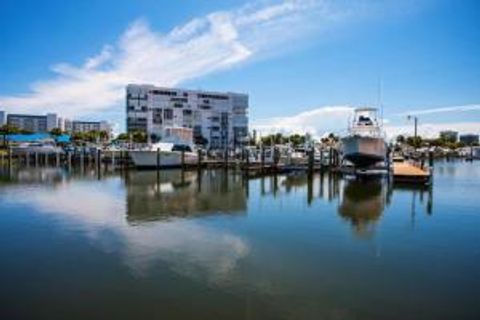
304	63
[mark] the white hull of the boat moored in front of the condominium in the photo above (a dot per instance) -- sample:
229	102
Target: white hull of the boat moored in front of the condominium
168	159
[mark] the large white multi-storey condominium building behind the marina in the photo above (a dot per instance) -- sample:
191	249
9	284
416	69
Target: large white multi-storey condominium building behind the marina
217	119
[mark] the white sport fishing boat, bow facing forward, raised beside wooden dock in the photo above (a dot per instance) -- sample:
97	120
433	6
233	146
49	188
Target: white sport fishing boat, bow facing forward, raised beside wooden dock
365	145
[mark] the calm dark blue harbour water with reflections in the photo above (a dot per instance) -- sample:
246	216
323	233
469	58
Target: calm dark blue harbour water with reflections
213	246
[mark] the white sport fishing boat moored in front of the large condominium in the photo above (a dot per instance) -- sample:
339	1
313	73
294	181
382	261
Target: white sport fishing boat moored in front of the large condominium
175	141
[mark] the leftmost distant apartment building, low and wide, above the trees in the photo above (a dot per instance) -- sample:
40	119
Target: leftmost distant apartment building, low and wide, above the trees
33	123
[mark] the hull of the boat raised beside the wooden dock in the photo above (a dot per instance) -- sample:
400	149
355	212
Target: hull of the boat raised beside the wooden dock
364	151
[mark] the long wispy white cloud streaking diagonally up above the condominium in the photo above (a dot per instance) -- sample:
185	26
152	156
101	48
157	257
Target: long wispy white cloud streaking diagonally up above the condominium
206	44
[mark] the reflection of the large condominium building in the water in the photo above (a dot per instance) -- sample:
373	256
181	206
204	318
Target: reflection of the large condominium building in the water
183	194
